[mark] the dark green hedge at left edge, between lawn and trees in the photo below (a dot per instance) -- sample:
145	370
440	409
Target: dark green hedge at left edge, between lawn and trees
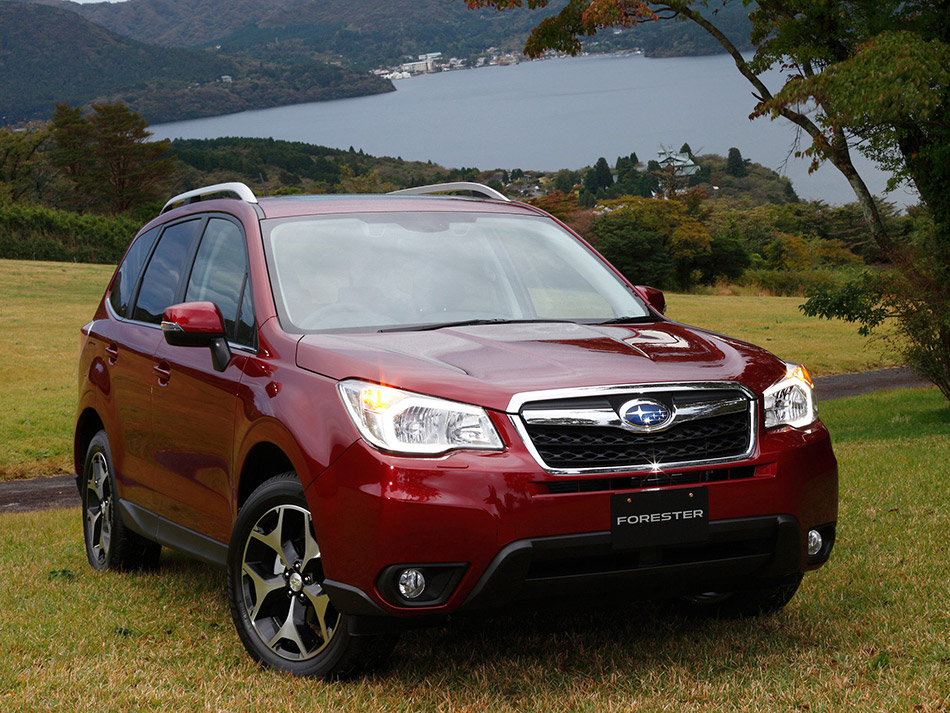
29	232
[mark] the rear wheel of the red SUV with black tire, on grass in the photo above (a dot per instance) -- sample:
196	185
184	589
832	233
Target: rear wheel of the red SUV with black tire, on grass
109	543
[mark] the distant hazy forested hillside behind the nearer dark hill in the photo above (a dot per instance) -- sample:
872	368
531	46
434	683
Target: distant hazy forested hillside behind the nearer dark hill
373	33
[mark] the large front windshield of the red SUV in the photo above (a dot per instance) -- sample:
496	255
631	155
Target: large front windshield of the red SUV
371	272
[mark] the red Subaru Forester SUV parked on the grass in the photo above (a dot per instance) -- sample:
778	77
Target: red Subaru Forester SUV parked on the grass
379	410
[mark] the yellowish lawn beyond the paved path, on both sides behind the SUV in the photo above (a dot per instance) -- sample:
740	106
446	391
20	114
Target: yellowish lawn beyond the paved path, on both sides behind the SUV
43	305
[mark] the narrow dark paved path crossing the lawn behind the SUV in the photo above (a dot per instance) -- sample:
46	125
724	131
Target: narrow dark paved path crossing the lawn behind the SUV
60	491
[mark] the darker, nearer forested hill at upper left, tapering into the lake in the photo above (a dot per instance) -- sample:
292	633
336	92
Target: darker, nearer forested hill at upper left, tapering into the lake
50	55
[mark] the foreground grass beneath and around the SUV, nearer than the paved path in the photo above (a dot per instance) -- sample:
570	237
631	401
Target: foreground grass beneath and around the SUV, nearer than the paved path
868	632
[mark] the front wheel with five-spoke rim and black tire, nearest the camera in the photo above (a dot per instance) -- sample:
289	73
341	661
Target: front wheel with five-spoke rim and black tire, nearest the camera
283	616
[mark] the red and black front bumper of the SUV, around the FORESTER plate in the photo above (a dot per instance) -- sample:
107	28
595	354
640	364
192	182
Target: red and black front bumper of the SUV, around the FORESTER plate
493	520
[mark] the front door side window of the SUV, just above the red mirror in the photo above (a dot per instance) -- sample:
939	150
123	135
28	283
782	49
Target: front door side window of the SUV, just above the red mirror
220	276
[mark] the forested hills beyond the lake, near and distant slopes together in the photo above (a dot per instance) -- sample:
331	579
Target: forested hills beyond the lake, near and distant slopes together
251	54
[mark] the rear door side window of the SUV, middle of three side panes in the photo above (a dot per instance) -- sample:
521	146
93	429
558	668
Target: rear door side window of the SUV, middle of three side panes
164	271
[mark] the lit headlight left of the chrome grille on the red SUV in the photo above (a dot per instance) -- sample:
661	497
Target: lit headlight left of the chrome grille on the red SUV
403	422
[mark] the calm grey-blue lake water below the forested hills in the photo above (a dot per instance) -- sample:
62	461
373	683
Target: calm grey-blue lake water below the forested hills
552	114
